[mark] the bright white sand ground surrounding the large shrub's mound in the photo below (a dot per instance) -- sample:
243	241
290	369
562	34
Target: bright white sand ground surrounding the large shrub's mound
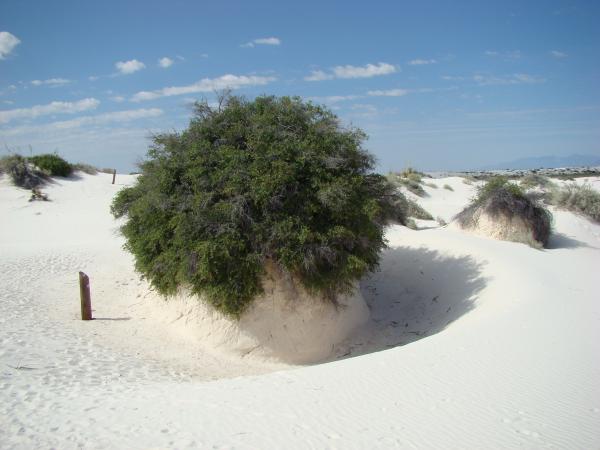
502	344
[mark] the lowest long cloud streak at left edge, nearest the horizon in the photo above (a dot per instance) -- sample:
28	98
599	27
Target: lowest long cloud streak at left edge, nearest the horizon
100	119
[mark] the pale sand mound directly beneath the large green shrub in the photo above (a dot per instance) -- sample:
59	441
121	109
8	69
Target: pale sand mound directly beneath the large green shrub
286	323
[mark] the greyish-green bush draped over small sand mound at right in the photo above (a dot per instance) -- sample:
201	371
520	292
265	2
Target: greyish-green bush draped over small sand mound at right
499	197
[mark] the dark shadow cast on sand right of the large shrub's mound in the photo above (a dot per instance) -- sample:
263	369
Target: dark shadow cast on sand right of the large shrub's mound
415	293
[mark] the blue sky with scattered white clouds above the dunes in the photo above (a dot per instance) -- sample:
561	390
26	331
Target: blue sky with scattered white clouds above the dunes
437	85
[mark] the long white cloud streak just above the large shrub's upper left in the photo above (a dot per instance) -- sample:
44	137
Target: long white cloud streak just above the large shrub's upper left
205	85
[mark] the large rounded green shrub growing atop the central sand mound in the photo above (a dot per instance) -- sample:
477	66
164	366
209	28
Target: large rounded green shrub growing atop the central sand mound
270	180
